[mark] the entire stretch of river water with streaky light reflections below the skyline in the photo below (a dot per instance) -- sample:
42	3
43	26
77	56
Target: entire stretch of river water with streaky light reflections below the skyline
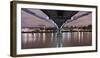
49	40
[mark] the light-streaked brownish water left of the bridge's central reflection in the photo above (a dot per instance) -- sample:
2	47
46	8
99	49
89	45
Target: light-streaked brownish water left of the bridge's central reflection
38	40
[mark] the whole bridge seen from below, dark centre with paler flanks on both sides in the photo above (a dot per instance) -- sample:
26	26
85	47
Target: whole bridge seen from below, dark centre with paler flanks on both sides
58	18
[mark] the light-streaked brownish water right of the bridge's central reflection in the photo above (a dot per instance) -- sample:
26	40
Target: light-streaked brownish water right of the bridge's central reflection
77	38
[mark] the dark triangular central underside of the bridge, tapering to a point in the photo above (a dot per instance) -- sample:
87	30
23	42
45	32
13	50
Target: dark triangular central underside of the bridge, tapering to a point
59	16
